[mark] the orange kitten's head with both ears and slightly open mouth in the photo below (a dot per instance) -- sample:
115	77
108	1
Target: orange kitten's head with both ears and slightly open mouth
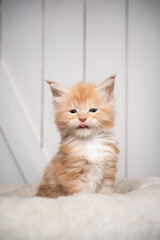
85	109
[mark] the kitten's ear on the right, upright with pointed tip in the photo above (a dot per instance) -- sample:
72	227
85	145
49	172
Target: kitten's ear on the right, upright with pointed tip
108	87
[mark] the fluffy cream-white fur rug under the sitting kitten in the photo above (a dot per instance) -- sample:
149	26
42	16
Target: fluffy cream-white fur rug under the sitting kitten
133	213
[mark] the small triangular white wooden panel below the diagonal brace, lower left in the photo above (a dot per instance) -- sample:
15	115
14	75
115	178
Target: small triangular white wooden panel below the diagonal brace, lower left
9	173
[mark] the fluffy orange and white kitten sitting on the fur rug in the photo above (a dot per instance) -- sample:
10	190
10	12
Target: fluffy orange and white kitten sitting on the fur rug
88	153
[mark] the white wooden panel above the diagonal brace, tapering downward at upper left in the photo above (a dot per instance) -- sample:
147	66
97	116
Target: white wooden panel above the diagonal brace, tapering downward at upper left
21	40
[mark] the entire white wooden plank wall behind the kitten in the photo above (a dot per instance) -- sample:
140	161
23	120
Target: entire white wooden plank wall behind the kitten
70	41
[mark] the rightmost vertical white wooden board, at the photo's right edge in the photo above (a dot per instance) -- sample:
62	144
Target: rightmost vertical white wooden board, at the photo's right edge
144	88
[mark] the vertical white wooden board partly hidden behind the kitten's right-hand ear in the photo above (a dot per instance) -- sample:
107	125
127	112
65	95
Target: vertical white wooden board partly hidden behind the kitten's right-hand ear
106	56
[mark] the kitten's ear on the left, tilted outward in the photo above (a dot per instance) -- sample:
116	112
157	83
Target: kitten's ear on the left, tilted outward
57	90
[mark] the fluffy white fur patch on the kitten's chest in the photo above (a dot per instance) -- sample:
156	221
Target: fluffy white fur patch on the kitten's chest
95	150
